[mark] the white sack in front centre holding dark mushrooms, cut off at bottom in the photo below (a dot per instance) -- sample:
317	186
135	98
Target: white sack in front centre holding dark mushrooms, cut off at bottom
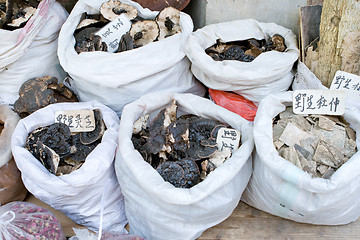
155	208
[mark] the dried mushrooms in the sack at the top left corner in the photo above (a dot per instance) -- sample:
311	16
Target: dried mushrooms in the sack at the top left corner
15	14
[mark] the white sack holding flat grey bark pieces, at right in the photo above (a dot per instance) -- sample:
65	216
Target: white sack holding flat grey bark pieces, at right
280	188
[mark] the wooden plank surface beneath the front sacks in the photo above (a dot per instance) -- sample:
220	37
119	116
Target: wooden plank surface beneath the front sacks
248	223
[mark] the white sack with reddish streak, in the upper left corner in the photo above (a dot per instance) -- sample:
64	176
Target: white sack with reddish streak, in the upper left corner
31	51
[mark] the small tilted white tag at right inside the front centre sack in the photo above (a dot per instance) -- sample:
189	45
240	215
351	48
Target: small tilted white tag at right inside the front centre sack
228	138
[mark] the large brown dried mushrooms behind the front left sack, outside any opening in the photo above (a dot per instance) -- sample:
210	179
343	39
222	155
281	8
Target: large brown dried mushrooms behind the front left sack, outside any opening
37	93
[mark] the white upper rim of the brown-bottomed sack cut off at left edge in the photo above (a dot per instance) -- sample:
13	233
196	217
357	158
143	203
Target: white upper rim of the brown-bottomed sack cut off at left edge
10	119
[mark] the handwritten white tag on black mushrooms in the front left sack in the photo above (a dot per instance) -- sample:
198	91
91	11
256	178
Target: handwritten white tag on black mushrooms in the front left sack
77	120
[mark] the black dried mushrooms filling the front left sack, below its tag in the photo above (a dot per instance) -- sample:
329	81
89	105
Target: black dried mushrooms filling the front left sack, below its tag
61	151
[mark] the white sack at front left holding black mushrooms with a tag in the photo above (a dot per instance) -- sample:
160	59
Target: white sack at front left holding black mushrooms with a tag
78	194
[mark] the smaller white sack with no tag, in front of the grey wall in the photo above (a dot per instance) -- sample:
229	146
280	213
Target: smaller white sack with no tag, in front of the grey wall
268	73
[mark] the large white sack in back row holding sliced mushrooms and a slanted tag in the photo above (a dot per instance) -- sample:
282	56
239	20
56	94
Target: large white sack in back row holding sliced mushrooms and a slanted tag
115	79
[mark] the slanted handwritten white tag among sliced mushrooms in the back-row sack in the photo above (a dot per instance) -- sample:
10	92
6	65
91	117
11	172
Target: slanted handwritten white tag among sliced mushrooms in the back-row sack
112	32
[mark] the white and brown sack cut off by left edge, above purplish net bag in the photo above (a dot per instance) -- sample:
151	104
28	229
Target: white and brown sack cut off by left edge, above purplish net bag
11	186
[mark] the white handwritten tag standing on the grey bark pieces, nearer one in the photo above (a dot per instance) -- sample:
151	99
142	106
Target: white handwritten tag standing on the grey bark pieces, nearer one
327	102
